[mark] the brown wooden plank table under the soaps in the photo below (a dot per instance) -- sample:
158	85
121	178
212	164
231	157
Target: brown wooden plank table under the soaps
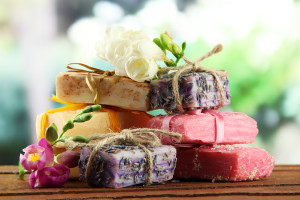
284	183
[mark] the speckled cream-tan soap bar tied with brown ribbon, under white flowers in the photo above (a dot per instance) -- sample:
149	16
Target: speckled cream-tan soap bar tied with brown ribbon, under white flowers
124	93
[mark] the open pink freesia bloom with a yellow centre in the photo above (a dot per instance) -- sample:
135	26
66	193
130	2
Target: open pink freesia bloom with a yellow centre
38	156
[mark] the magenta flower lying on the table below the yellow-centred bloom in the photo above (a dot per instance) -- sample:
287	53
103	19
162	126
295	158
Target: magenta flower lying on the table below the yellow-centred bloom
54	176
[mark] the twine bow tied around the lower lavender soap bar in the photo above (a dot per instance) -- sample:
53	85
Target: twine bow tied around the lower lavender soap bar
141	137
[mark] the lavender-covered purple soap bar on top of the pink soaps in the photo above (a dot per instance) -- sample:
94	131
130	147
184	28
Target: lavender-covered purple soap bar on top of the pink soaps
196	90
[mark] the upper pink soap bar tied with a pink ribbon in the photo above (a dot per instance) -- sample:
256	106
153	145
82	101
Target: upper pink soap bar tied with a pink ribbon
201	128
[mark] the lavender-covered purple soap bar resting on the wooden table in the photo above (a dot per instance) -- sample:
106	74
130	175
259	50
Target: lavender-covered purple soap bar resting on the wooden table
119	166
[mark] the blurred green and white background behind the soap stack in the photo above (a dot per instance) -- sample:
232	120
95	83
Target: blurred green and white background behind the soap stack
261	40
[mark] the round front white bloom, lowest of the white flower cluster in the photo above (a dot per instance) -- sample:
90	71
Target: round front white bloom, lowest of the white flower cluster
140	69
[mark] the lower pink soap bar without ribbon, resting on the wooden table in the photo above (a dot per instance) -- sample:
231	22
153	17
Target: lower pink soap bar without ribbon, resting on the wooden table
223	163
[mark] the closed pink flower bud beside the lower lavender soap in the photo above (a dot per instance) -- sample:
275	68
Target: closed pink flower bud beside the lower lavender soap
68	158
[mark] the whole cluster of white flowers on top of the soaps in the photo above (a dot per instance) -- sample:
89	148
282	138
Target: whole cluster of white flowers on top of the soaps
132	53
